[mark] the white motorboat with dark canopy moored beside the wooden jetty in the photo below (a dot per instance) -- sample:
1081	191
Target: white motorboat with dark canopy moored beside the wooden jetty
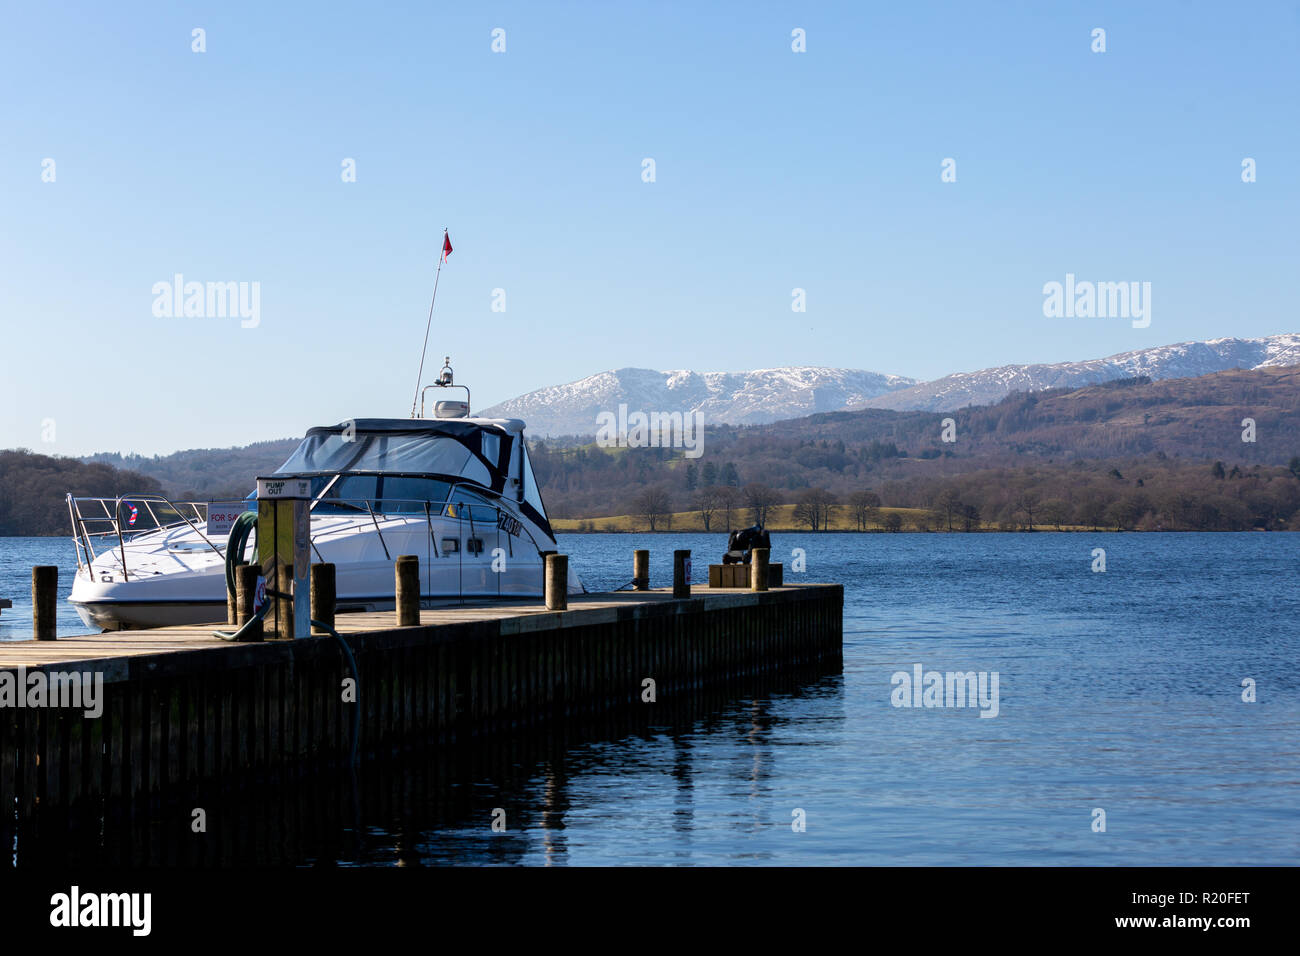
456	491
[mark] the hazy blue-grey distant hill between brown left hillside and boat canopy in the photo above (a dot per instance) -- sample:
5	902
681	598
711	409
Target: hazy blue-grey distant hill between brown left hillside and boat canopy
203	474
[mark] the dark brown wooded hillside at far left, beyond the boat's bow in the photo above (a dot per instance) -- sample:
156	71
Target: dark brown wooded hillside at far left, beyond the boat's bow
34	488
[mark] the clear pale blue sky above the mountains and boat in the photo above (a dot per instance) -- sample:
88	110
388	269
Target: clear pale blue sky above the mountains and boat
774	171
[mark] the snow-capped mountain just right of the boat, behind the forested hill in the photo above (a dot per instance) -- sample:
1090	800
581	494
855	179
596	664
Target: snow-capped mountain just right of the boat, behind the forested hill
764	395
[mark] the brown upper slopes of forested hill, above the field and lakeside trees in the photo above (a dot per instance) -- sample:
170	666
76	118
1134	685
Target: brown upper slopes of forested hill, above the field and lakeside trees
1194	421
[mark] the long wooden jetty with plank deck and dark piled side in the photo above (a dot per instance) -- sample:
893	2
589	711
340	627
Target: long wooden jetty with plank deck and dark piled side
184	711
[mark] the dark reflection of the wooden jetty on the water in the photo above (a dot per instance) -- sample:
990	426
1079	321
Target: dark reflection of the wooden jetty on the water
437	806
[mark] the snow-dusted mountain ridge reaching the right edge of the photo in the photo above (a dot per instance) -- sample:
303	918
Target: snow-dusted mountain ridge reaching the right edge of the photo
1182	361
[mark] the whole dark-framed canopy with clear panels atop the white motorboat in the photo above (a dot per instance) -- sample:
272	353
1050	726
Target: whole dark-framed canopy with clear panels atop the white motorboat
475	452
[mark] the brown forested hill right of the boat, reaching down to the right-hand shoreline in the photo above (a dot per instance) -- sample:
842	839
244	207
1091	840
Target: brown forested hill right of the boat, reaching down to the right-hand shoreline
1185	434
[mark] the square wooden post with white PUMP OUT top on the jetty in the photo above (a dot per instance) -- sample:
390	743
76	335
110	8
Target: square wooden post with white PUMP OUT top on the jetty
284	552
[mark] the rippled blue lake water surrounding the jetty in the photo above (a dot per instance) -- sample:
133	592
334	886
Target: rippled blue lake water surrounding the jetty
1119	690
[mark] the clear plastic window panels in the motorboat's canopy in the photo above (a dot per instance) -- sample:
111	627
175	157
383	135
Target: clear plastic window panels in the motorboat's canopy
428	455
